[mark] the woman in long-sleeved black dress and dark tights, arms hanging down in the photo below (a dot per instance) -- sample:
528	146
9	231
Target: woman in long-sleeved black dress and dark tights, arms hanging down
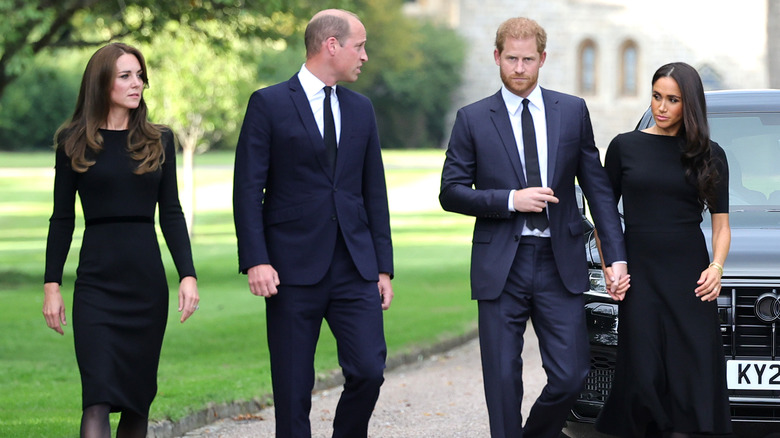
123	168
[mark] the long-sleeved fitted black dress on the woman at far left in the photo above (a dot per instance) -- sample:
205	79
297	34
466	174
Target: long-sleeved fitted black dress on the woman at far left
120	301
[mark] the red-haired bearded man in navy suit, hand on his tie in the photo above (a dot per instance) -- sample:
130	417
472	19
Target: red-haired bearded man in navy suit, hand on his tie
512	161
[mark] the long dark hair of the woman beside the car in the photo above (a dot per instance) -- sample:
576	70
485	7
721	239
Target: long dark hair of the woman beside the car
697	151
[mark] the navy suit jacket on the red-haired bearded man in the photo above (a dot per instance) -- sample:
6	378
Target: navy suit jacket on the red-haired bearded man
483	165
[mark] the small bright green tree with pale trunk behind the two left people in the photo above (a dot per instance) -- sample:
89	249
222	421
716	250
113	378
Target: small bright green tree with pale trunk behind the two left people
198	91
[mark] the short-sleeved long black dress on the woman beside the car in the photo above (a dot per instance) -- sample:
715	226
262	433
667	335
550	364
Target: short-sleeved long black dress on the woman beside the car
670	374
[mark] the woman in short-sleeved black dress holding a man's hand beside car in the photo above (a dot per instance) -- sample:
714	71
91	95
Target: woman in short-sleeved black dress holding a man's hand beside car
670	375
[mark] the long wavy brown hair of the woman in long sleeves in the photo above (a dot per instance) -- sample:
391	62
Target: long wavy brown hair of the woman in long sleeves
79	136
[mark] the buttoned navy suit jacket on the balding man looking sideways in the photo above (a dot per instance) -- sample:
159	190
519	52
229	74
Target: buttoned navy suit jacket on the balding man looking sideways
288	206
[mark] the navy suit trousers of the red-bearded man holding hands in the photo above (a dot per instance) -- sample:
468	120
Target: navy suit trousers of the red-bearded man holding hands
533	290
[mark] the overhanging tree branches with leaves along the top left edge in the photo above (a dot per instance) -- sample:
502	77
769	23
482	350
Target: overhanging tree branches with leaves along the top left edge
30	26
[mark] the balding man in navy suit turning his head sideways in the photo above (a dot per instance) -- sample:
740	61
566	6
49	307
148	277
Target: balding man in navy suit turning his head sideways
311	216
